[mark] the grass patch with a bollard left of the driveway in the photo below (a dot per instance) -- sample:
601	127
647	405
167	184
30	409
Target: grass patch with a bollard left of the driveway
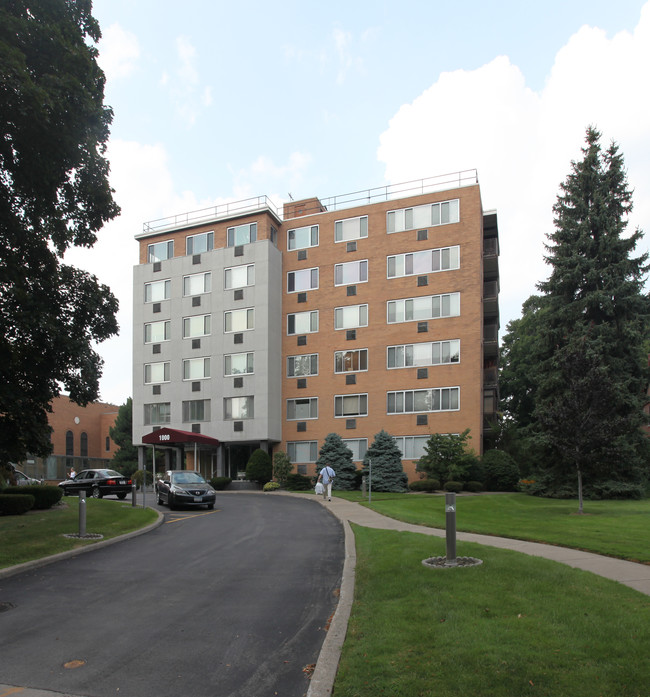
41	533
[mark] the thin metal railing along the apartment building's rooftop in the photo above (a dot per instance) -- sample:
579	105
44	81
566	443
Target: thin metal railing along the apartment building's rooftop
453	180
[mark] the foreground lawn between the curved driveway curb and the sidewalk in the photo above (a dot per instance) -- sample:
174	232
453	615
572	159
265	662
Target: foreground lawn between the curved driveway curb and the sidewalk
513	626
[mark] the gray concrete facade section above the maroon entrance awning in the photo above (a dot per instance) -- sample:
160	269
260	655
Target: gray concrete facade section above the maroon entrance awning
161	374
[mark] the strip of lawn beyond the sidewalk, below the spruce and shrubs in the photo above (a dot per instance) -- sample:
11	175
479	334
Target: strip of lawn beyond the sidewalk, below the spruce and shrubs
612	528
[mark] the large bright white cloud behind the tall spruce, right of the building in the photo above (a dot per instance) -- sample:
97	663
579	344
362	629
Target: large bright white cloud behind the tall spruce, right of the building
522	142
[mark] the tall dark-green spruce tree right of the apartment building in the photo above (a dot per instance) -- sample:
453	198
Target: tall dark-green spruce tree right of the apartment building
591	387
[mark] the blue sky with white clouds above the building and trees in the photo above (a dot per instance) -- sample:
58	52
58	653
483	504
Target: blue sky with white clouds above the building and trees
216	101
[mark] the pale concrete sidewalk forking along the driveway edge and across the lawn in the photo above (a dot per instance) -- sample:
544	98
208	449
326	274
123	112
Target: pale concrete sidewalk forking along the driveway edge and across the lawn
636	576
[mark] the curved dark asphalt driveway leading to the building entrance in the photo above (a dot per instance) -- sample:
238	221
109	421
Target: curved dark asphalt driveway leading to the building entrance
227	603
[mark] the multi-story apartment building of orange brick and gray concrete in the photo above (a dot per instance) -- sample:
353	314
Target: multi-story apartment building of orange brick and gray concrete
260	328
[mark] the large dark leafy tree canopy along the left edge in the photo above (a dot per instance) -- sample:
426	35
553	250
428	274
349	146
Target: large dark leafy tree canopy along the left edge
54	193
